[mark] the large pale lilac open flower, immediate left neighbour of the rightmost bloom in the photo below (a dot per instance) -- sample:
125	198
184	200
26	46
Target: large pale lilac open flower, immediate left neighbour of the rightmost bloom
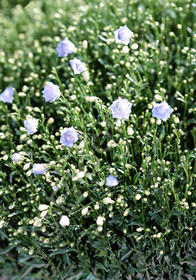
121	108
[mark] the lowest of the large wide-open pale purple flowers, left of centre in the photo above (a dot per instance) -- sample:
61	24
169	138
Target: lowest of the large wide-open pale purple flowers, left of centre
68	136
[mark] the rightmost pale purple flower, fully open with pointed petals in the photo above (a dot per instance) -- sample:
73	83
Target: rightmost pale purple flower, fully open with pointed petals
161	110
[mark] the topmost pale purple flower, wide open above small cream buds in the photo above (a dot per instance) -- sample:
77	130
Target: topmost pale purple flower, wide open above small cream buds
123	35
